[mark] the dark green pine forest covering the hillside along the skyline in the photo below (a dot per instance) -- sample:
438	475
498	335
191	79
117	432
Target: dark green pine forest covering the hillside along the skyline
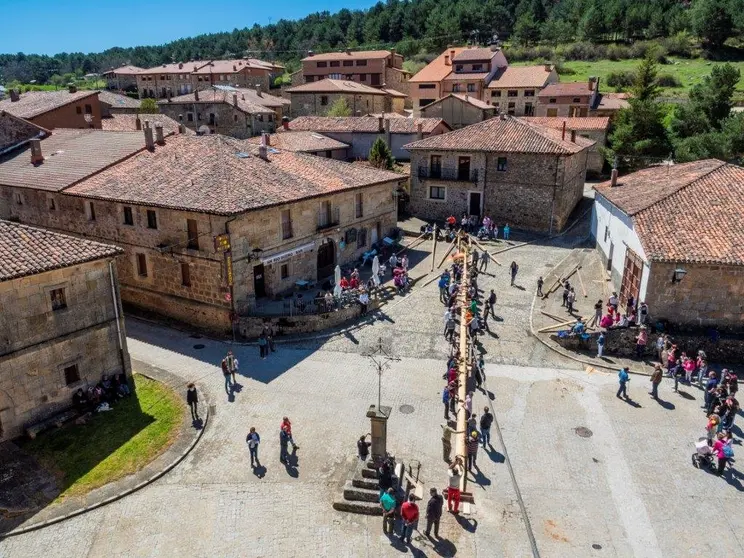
414	27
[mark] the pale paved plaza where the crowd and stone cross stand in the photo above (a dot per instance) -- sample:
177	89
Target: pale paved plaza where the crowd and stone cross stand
597	476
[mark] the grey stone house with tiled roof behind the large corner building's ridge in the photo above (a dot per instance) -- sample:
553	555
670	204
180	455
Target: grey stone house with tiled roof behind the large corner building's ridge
220	112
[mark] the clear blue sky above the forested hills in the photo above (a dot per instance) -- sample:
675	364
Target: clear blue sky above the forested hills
51	26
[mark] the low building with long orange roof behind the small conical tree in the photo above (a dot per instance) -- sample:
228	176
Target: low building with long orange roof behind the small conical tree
361	132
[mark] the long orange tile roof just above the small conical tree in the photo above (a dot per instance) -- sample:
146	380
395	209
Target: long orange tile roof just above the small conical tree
364	124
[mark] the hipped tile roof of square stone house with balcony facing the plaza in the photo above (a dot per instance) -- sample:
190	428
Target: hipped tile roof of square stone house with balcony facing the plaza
503	135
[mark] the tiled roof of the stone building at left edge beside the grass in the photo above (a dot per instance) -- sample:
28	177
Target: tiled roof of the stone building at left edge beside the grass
27	250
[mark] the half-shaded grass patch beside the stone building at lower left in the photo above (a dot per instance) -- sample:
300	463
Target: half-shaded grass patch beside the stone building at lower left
112	444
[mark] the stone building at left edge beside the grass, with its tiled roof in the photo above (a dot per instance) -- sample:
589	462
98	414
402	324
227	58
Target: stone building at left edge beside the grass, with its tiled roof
61	322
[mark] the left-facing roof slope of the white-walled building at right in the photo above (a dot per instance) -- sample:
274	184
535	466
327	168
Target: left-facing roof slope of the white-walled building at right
639	190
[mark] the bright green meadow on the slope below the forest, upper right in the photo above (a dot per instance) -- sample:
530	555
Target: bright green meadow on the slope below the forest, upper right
688	72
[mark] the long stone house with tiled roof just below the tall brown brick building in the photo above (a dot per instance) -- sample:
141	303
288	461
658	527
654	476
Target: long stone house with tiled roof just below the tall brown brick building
317	97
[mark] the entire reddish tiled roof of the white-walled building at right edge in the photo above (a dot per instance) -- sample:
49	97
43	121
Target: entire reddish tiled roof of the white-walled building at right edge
698	219
